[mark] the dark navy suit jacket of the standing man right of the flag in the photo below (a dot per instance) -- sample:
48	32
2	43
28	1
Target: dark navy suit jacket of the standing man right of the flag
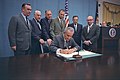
77	34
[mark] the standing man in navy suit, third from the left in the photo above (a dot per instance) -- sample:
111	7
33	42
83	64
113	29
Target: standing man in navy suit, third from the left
45	23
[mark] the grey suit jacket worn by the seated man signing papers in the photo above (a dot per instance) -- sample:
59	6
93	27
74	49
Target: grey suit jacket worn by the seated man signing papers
58	42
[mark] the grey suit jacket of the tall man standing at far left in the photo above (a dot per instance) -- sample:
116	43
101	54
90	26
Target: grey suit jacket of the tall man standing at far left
19	33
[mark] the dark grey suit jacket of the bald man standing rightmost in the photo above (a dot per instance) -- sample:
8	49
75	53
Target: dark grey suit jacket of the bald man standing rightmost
93	35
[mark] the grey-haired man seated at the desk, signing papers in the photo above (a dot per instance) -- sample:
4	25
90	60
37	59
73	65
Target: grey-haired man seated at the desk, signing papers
64	43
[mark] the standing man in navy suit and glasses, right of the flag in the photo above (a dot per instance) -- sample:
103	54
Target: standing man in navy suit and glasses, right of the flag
78	30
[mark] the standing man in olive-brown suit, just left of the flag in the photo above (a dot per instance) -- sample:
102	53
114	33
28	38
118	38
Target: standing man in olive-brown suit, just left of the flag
58	24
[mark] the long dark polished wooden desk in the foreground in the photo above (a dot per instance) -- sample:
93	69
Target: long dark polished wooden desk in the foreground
49	67
